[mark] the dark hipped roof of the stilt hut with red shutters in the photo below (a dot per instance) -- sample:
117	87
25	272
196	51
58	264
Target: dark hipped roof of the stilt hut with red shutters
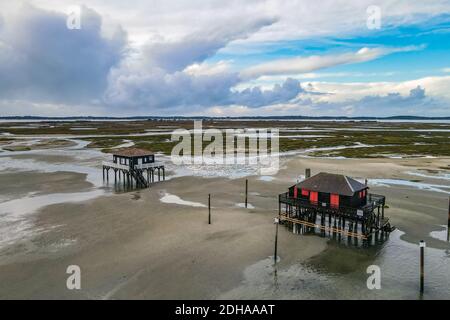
332	183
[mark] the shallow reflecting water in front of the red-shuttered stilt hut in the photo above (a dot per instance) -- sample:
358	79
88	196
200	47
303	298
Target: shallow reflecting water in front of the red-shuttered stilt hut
340	273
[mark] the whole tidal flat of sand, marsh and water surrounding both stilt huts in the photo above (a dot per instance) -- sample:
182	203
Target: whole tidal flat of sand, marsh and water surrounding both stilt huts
155	243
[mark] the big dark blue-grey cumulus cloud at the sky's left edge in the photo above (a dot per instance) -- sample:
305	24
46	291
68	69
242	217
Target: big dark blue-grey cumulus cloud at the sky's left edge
42	60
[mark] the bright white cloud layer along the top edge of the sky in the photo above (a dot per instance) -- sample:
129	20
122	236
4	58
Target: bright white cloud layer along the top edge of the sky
297	19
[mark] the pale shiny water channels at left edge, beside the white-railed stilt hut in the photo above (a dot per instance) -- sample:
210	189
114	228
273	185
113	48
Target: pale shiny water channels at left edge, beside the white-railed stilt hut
16	214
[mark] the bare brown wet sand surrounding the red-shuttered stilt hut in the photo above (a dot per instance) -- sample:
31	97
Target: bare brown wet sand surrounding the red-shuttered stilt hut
131	245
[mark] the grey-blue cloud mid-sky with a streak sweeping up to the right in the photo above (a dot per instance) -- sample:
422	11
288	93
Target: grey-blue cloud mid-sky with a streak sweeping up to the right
174	75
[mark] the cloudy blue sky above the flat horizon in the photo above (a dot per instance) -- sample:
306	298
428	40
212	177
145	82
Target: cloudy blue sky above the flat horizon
225	58
